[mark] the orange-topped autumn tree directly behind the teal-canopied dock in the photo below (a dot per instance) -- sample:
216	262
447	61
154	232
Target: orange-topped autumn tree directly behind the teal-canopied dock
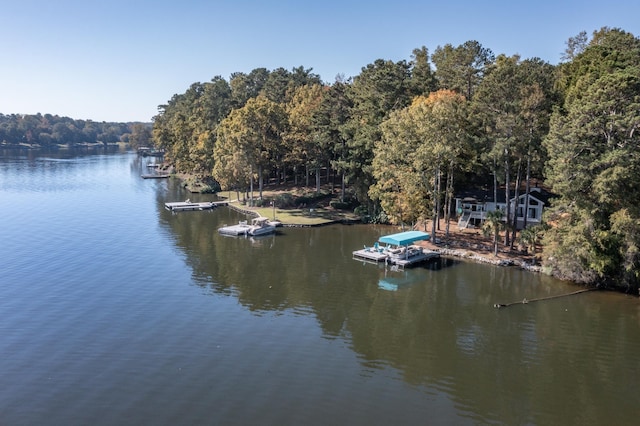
420	154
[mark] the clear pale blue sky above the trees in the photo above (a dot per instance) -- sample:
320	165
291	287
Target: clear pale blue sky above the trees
117	60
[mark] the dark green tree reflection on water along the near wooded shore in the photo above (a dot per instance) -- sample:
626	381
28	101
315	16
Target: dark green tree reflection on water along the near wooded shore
434	325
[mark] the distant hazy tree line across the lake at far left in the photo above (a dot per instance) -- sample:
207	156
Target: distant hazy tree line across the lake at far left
49	130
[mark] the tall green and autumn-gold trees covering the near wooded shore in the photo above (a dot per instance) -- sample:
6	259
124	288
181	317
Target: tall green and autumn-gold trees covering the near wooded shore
401	137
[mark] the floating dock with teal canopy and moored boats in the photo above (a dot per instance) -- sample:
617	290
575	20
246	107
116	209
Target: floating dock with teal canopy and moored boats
398	250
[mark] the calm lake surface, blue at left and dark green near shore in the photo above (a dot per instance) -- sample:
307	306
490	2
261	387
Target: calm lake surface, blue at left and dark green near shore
116	311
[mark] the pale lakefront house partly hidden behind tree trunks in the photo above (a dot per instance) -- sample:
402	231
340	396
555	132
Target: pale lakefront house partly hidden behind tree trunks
473	206
